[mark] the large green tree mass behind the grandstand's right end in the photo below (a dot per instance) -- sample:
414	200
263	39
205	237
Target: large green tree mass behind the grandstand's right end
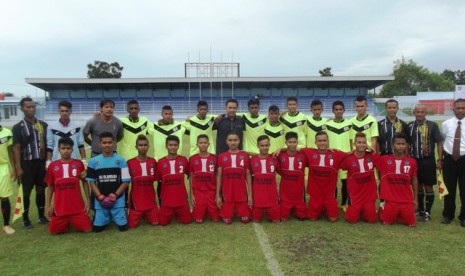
410	78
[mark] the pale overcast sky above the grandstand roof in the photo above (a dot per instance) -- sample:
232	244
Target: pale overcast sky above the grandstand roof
56	39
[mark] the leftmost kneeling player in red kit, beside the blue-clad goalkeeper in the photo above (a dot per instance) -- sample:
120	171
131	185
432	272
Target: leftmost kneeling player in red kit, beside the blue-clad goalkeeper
63	186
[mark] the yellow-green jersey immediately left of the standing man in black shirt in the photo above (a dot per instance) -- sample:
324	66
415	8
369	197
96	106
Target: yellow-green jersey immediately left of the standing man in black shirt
196	126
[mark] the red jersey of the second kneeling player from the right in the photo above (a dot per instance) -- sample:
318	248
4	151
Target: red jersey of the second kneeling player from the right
361	181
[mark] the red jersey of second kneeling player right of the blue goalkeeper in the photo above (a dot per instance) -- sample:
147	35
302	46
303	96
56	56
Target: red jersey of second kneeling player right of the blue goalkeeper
171	173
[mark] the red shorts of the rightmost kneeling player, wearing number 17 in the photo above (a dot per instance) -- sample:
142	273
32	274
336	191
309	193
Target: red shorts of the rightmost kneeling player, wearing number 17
402	212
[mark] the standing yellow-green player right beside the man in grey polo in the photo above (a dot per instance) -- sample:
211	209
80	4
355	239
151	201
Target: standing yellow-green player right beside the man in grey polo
133	126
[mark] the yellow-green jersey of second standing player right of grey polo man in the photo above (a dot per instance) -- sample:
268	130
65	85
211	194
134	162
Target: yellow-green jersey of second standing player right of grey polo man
160	132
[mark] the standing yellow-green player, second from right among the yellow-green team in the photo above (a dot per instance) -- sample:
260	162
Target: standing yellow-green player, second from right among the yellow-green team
339	135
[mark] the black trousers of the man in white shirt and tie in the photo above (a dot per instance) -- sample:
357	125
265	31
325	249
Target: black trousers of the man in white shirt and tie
454	175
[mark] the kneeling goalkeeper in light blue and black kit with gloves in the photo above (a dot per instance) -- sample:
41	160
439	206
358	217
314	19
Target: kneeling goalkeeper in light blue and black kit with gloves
108	176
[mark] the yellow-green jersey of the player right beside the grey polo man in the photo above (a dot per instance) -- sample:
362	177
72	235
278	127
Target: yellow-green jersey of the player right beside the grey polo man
131	130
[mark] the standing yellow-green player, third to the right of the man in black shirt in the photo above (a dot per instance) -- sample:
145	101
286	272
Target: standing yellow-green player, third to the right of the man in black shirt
295	121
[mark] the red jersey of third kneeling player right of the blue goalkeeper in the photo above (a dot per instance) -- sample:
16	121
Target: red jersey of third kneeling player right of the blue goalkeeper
203	171
